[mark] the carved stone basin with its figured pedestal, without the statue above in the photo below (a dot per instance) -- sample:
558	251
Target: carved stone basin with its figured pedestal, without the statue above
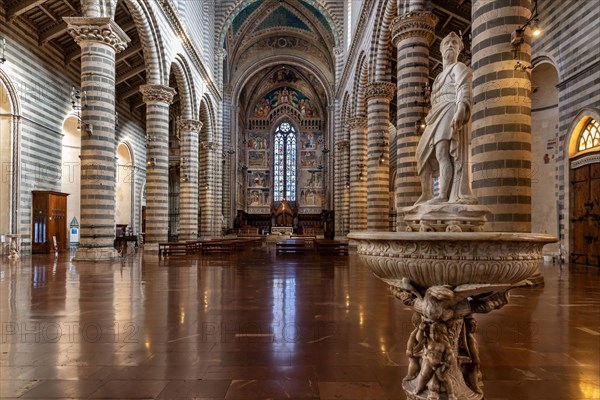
446	278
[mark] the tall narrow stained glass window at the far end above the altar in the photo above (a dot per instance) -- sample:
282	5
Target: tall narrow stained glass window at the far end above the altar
284	160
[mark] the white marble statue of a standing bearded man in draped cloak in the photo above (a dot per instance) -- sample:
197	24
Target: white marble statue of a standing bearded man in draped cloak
443	149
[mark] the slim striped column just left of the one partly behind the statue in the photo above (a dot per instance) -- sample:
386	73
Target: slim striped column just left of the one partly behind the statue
378	95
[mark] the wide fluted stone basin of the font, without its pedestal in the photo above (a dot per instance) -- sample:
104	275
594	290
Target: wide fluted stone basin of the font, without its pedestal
451	258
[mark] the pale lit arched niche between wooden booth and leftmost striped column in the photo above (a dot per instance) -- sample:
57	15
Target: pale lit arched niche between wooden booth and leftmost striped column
71	173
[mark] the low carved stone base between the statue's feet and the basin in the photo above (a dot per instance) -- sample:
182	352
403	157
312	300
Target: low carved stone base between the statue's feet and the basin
445	217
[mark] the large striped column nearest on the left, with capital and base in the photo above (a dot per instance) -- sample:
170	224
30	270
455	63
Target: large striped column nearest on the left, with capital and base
100	39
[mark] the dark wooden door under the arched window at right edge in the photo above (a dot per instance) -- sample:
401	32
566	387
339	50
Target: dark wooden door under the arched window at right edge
585	186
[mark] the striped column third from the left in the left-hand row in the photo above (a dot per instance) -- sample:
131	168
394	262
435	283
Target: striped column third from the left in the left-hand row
189	131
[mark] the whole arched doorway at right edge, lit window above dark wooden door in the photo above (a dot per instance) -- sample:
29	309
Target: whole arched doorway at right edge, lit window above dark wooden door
584	152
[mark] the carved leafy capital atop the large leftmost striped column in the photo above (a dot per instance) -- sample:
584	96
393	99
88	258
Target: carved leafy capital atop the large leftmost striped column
97	29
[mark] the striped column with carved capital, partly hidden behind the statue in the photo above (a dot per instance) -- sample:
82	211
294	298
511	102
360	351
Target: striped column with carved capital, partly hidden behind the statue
412	34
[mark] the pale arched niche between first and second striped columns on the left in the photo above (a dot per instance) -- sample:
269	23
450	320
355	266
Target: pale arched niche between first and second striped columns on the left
124	190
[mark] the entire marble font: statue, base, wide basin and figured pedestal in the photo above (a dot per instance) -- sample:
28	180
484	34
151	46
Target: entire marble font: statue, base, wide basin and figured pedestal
445	267
